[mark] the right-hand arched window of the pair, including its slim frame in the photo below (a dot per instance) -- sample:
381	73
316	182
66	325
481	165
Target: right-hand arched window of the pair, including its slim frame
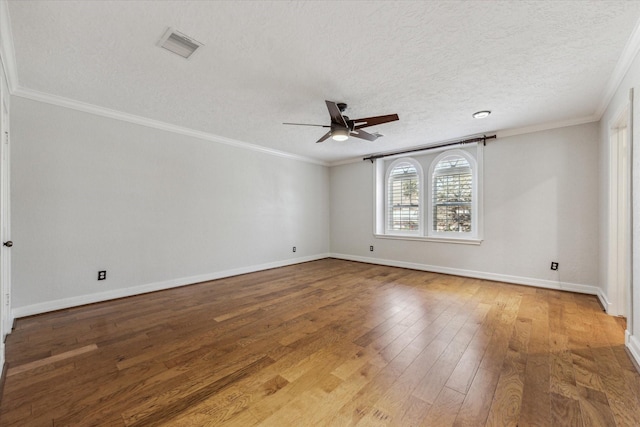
453	197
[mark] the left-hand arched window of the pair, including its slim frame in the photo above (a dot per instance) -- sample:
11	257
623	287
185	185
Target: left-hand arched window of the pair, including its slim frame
403	197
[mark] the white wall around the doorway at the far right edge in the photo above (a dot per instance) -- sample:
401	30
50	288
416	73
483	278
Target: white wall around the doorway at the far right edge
616	105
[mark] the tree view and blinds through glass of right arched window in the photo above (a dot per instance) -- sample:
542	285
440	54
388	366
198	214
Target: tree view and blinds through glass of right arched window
452	195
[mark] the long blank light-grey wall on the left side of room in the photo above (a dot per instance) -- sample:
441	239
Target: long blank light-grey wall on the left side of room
153	208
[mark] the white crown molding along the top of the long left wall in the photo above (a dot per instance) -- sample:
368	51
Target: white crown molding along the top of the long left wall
156	124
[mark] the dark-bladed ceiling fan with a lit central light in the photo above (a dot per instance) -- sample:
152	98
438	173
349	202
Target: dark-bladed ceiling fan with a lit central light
342	127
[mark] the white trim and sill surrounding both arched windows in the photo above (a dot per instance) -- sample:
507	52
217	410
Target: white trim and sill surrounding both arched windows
380	173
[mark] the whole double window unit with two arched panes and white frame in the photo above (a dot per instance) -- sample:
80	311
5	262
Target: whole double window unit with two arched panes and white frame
443	206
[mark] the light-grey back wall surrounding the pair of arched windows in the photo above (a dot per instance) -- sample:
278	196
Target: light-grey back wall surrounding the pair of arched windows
539	206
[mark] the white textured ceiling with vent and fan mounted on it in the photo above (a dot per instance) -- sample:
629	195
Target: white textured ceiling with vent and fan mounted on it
267	62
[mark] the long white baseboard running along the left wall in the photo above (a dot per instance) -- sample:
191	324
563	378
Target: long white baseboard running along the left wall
61	304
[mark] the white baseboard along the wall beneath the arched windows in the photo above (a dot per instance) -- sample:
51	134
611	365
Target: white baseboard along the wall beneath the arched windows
528	281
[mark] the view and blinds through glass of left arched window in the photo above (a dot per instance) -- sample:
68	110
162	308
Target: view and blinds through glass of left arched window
404	198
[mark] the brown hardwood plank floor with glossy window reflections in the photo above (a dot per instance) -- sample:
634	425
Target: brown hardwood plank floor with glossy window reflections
328	342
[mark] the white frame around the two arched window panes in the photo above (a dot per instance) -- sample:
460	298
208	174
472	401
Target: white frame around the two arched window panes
381	172
